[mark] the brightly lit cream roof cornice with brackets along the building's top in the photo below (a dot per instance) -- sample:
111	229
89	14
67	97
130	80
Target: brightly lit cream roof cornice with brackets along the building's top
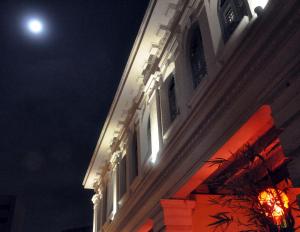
173	11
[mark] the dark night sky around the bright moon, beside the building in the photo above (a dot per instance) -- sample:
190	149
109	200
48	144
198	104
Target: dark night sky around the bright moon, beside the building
55	93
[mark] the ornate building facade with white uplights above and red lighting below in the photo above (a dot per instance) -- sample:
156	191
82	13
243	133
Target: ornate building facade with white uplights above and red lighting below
208	108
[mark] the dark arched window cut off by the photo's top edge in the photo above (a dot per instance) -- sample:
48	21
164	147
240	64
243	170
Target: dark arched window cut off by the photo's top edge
230	14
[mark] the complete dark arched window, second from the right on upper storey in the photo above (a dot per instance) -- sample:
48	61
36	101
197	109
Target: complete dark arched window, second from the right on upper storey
197	57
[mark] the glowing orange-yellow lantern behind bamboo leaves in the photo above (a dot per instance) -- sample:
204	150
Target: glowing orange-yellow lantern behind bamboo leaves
275	203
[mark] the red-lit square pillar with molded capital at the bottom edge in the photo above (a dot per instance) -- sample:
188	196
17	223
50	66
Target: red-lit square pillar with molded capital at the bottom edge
177	215
